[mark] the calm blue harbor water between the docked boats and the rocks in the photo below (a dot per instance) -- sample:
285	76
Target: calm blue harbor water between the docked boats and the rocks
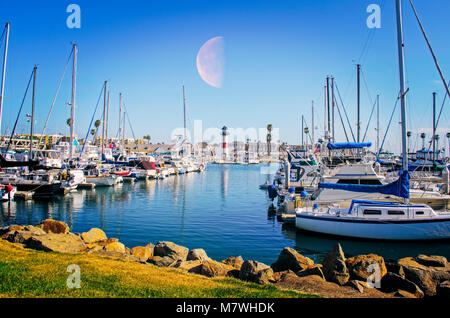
221	210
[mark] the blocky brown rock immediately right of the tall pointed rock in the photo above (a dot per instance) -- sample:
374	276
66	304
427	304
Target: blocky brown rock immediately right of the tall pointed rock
361	267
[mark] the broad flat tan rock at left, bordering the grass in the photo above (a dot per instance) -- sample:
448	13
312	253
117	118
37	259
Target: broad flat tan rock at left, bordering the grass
63	243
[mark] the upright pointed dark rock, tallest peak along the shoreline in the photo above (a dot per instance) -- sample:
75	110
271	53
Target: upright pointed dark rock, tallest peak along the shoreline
334	267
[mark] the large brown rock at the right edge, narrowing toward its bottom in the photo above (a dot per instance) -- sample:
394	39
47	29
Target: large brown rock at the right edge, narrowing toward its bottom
426	277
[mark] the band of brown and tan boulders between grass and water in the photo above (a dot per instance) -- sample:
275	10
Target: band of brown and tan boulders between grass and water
411	277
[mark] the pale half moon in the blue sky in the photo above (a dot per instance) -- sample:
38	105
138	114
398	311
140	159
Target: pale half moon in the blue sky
211	61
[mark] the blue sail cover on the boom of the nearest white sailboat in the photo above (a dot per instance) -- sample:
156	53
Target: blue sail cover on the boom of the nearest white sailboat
399	188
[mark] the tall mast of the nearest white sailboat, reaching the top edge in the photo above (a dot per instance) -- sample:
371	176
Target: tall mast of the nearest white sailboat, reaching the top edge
401	62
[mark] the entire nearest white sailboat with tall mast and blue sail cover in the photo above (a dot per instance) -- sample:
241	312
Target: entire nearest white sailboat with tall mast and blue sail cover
375	219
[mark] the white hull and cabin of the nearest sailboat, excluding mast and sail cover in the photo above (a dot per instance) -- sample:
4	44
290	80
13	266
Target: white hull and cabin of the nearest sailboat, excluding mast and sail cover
376	220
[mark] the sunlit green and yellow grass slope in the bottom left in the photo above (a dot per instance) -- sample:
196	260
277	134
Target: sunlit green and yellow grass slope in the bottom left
29	273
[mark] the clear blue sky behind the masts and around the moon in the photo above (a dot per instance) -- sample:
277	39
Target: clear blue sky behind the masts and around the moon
277	55
